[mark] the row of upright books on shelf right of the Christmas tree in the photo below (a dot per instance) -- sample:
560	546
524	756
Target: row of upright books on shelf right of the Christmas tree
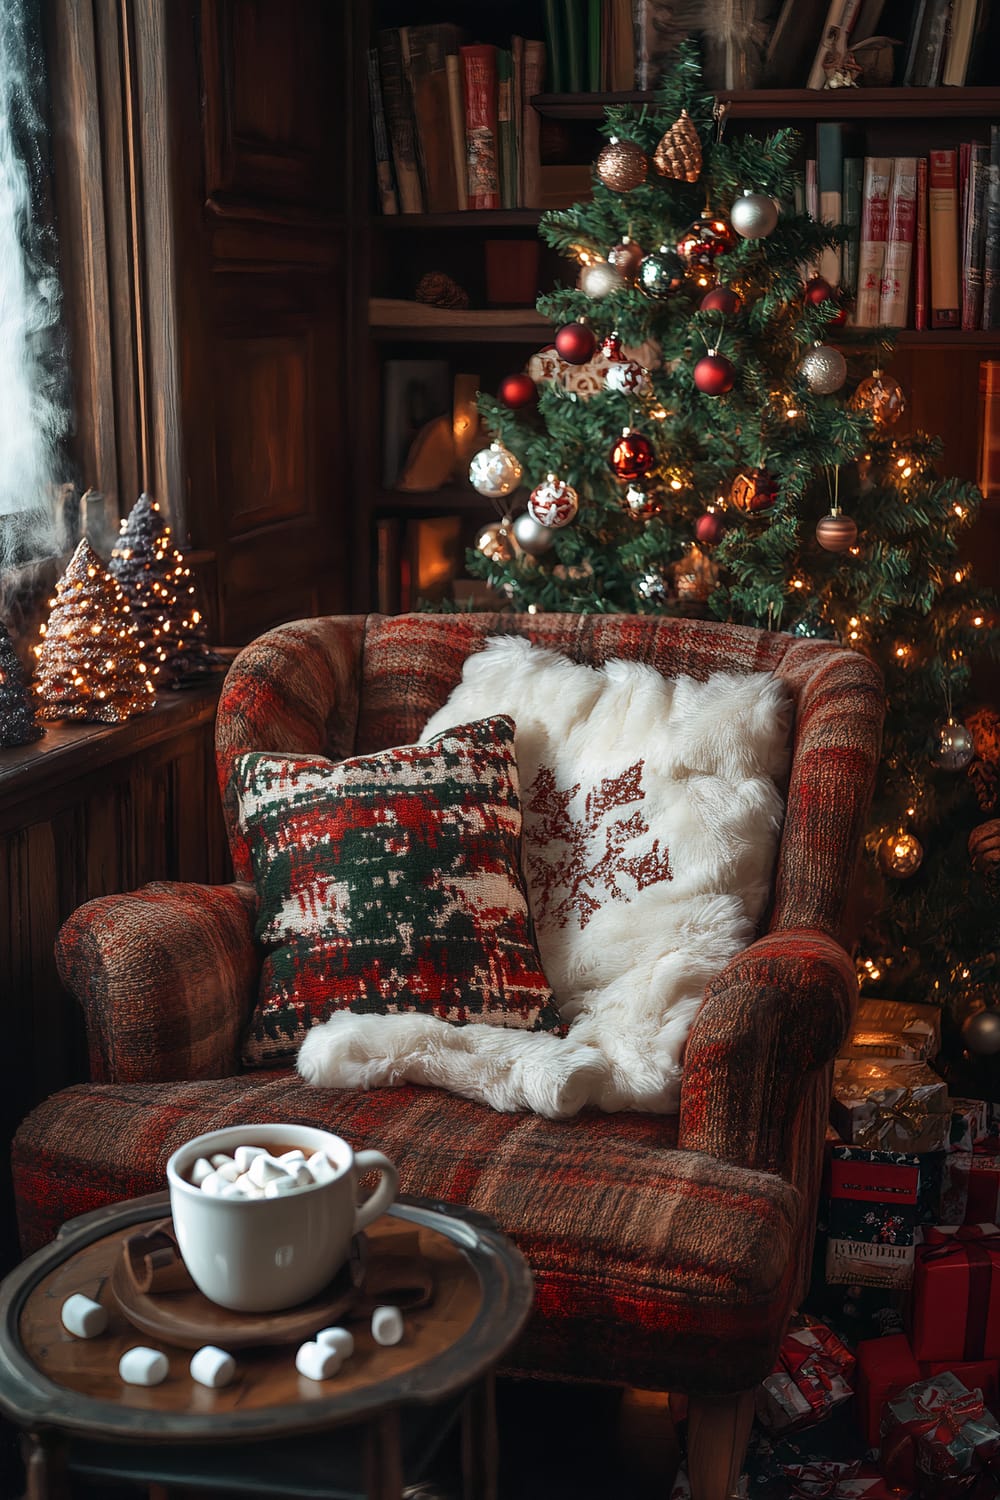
926	232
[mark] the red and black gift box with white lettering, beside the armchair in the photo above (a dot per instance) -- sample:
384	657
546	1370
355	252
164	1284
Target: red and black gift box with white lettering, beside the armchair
872	1217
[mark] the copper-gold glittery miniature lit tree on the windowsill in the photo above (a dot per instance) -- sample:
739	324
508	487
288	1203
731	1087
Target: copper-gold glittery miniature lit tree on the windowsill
89	661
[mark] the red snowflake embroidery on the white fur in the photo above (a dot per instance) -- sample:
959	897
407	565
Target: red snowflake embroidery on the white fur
582	877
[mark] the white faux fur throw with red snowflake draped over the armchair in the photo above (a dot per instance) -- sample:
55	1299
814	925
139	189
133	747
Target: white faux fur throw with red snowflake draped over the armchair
653	811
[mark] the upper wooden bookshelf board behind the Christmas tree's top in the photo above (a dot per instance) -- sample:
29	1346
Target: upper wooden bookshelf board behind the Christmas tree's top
803	104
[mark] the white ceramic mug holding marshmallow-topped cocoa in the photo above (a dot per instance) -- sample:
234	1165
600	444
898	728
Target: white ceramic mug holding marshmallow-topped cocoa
265	1255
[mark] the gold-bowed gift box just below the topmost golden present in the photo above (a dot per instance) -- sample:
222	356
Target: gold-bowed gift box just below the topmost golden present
888	1106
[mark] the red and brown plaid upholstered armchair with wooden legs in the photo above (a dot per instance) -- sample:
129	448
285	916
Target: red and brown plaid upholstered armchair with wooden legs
668	1252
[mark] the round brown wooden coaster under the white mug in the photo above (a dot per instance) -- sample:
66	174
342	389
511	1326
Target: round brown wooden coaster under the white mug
188	1319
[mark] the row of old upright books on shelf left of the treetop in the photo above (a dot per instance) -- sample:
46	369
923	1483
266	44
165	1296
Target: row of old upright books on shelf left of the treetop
452	124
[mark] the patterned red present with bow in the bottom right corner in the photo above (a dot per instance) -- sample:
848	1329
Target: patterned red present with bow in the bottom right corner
939	1438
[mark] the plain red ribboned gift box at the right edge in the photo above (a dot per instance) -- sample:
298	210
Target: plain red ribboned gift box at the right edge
954	1312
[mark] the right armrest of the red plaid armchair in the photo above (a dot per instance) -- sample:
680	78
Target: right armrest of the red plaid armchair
761	1049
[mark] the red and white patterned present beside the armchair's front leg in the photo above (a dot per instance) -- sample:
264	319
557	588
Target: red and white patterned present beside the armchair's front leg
809	1382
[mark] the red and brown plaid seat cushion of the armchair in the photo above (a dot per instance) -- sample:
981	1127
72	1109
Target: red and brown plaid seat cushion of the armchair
654	1267
